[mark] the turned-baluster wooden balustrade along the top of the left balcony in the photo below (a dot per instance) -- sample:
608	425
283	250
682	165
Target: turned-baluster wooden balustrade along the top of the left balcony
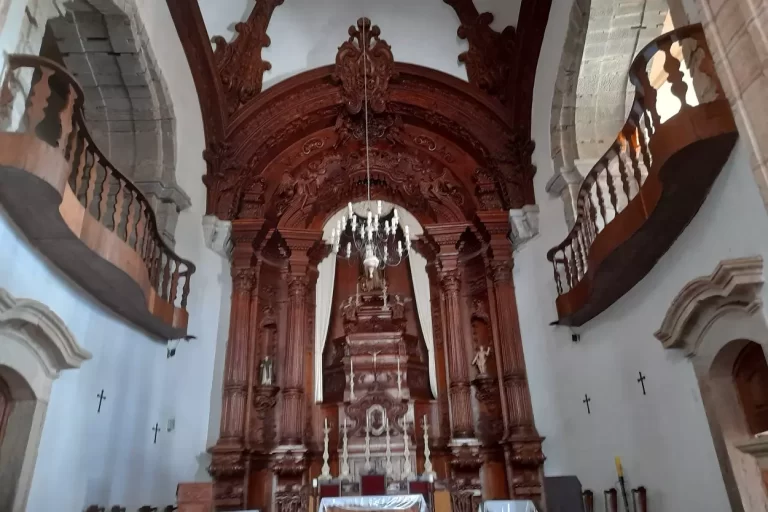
53	112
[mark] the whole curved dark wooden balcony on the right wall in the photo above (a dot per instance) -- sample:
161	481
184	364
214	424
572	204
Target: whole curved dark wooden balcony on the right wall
639	197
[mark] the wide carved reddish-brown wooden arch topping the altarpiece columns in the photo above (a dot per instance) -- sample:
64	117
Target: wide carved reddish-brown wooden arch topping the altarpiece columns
439	147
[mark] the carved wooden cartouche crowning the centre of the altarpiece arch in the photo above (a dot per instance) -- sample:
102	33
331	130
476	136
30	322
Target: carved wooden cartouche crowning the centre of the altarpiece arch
353	64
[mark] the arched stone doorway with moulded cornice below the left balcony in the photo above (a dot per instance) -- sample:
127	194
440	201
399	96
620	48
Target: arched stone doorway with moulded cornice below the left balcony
35	346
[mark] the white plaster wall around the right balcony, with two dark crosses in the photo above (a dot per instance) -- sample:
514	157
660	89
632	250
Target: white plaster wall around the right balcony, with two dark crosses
662	437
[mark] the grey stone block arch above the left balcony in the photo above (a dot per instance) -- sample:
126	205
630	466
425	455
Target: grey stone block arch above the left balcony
127	108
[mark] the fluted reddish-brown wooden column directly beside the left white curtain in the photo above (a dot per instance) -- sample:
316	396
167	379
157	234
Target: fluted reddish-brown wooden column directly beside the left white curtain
300	243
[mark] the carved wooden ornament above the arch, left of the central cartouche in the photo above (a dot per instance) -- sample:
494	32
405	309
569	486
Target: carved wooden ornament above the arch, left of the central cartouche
241	68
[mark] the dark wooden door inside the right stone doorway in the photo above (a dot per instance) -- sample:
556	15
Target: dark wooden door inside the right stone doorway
750	374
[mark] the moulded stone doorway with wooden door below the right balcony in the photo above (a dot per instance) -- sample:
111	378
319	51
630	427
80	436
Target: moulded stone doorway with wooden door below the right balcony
719	322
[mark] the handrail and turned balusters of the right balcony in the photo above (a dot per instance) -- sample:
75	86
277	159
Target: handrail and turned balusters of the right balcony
643	119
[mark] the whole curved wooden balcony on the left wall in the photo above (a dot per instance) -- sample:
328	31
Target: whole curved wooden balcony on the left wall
77	209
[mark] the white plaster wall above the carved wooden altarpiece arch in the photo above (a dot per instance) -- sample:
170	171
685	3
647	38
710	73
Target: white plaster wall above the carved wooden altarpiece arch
306	34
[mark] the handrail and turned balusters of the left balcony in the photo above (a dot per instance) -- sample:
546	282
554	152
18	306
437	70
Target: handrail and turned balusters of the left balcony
74	136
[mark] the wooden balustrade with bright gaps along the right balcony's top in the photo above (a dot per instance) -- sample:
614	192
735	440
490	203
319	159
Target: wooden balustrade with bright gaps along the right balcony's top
616	181
